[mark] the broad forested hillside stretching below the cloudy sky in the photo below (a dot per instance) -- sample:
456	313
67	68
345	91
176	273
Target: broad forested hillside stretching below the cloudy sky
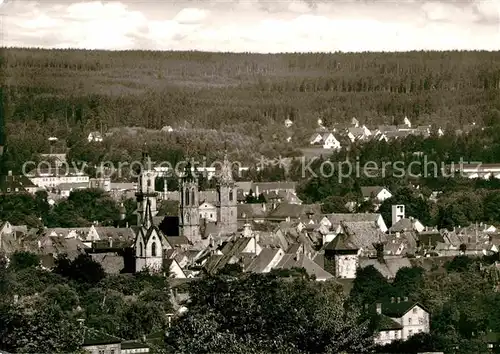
69	93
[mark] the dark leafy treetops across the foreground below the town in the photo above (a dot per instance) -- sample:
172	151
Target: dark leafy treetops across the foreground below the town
235	312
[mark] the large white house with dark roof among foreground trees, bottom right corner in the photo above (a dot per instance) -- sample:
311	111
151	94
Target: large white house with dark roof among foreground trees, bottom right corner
410	315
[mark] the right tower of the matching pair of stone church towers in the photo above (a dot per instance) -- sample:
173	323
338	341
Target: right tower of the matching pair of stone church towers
226	199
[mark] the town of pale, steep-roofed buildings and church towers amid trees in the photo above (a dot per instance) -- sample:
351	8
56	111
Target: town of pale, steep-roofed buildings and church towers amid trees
257	227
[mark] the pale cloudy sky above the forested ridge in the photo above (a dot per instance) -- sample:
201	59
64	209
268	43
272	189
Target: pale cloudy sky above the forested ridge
253	25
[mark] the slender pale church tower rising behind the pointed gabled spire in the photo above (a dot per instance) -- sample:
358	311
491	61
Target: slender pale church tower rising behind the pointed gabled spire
146	190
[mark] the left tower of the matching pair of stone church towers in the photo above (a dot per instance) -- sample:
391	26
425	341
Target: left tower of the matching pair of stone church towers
189	218
